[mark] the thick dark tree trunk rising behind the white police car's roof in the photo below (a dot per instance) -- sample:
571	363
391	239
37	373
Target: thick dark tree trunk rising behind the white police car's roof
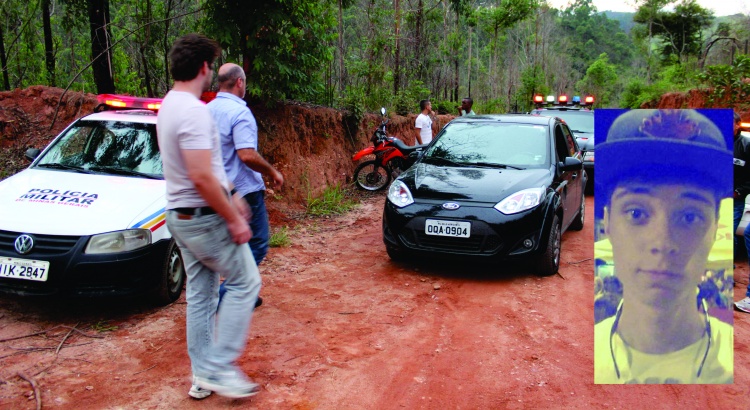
100	43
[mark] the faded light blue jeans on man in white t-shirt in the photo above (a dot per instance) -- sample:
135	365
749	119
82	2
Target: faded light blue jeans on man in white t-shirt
208	252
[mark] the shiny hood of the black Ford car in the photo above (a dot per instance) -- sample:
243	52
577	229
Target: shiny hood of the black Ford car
489	185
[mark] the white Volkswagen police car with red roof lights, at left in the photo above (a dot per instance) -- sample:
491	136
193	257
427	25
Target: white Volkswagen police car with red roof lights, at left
87	217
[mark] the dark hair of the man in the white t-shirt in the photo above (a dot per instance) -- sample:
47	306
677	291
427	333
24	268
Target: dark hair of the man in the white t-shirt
189	53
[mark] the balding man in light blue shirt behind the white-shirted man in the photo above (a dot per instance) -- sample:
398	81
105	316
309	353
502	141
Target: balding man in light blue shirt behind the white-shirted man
244	166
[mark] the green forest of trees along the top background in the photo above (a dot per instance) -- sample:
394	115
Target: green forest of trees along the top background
362	54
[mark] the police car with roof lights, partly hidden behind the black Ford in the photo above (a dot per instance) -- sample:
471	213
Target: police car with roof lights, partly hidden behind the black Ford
578	115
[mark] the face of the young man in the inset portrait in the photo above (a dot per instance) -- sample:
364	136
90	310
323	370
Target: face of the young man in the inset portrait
661	236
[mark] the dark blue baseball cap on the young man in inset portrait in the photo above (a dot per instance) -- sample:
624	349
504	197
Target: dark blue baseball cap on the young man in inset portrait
674	145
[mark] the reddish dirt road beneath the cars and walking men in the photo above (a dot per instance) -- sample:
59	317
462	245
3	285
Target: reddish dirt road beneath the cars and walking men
342	327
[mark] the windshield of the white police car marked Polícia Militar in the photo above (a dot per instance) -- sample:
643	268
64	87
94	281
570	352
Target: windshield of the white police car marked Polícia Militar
110	147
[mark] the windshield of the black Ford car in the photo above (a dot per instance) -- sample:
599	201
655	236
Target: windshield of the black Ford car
510	145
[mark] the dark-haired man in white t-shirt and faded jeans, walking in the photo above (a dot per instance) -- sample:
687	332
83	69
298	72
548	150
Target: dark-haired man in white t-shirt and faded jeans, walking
209	225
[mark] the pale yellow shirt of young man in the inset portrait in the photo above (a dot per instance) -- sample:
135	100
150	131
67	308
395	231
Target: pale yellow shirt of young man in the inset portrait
680	367
